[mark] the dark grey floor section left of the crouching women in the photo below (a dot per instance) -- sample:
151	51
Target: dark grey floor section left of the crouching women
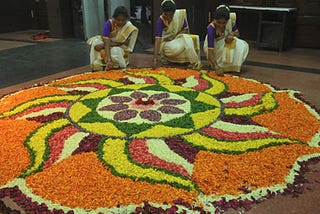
26	63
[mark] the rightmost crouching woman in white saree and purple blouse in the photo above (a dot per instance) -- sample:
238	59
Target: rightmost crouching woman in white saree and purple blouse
224	50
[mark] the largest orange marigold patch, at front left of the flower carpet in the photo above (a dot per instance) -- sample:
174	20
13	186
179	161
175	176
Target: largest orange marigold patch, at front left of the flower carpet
83	181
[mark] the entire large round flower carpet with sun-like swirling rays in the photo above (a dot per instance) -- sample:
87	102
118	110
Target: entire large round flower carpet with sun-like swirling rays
166	140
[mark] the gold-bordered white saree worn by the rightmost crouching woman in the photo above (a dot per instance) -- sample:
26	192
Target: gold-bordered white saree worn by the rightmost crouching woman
229	57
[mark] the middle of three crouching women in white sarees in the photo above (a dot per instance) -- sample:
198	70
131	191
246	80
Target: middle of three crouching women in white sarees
172	40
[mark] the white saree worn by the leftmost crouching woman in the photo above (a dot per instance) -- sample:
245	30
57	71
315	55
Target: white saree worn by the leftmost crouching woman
127	35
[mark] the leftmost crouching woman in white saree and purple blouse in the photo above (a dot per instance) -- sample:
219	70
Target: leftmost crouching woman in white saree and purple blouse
111	50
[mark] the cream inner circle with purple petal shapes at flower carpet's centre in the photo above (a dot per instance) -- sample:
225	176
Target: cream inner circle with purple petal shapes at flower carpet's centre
143	107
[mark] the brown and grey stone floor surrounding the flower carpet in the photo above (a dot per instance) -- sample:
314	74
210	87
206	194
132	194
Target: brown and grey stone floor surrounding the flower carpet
24	63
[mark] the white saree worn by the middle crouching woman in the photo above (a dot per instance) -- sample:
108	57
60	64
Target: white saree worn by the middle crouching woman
184	47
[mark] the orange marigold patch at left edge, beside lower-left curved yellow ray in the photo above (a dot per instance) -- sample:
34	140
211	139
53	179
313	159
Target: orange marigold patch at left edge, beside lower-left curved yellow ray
14	156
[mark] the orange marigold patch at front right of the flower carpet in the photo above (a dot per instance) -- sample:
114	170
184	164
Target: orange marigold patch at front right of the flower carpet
224	174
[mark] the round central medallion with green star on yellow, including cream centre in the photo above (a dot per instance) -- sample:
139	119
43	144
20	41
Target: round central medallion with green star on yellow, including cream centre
145	111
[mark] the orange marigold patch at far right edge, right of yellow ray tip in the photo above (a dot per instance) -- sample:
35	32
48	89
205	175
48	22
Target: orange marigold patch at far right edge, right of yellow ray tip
291	119
